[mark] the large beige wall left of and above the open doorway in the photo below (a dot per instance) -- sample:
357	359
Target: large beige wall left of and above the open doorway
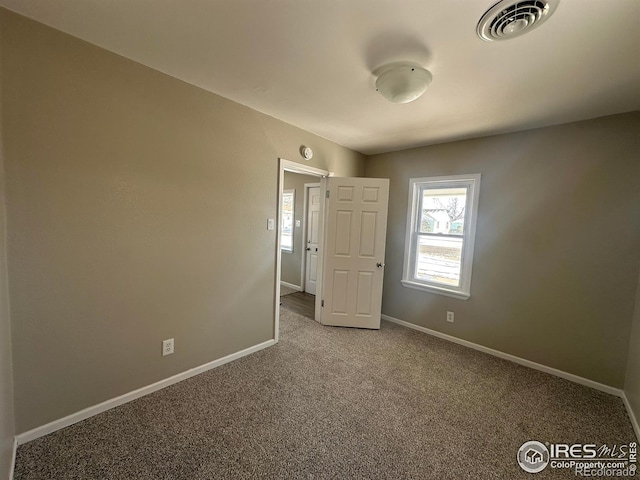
137	211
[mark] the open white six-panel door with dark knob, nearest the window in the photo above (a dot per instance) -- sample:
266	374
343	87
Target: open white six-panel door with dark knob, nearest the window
354	251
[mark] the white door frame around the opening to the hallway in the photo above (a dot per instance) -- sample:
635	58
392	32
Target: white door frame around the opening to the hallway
294	167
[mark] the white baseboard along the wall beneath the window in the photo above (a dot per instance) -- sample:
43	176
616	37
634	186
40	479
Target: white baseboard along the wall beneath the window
512	358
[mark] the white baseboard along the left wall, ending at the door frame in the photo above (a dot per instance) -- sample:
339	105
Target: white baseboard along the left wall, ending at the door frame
127	397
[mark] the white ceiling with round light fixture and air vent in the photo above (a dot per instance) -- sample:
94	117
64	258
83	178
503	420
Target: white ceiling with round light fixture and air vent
309	62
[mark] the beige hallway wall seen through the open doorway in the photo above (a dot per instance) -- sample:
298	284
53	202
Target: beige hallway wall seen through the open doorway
292	262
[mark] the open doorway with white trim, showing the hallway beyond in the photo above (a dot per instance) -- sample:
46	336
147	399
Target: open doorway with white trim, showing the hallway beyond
299	249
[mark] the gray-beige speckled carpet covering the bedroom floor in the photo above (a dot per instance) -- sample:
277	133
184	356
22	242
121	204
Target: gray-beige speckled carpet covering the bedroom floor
336	403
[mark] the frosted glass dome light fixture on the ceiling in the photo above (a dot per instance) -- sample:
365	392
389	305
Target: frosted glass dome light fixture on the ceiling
402	83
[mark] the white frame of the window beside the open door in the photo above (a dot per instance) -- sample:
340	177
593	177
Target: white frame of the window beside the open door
416	185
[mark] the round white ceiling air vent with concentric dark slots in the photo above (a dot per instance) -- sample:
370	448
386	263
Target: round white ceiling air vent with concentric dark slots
509	18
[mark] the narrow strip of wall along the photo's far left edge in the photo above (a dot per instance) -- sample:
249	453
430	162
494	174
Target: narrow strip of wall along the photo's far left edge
7	426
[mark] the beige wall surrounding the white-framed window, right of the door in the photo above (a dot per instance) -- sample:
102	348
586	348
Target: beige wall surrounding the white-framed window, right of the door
557	245
